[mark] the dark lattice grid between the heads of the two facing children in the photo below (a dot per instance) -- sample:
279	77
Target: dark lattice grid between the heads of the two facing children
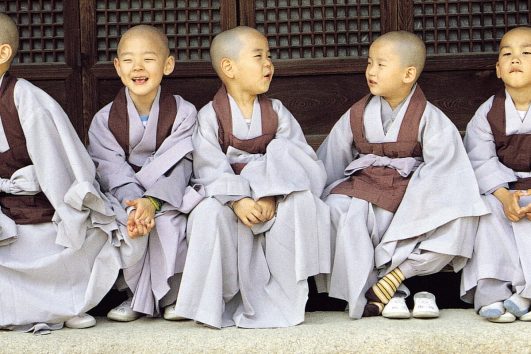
318	28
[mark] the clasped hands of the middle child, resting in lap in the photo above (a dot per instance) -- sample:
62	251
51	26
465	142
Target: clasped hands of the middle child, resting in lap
252	212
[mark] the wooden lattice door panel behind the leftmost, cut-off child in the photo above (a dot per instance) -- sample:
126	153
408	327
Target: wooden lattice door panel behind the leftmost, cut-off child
49	50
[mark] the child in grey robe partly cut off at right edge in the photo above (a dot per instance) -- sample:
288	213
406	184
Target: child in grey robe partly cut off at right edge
498	140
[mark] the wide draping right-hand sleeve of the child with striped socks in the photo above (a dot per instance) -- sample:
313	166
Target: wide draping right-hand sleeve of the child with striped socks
443	188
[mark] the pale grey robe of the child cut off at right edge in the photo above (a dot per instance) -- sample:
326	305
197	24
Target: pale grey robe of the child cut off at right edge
502	248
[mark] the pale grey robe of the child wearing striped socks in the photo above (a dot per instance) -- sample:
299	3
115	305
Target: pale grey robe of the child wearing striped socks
437	214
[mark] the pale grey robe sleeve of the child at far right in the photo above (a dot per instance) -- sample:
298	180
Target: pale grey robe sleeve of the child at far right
479	143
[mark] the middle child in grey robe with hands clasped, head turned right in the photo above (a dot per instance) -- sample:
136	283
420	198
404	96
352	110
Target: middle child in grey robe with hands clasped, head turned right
262	230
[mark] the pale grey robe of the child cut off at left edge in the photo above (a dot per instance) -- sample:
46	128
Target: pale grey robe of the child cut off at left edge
50	272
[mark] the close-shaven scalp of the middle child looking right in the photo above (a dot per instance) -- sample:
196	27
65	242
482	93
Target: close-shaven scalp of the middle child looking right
228	44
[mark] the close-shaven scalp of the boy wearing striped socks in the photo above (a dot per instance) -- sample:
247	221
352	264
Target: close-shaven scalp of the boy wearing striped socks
408	46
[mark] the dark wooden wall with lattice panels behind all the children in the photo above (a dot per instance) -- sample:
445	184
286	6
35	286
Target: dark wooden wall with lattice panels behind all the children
319	48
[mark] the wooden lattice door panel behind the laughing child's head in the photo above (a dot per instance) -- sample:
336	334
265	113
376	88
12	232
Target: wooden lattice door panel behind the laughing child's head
189	24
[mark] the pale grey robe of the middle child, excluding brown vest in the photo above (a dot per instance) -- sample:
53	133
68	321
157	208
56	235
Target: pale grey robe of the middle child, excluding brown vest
254	277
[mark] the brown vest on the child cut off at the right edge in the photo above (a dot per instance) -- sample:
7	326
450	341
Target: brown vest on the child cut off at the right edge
514	151
